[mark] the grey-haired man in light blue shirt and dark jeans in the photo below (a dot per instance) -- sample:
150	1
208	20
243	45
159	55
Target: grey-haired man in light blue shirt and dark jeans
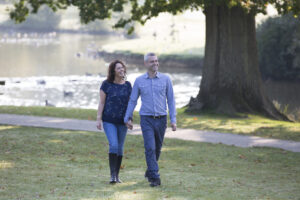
156	91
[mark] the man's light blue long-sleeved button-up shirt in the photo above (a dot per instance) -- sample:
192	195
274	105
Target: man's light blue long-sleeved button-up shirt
155	94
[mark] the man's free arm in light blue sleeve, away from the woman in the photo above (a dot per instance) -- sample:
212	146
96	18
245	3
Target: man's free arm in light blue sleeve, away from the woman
171	103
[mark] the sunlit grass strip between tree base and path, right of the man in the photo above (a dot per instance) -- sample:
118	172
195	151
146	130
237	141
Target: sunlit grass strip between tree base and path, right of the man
251	125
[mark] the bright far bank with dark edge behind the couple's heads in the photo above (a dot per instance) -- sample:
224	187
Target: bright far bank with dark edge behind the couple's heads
179	54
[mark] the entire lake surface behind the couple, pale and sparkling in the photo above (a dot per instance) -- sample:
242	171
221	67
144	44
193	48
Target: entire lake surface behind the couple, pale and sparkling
62	69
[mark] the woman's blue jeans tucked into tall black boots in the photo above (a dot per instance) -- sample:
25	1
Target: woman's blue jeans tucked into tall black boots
115	134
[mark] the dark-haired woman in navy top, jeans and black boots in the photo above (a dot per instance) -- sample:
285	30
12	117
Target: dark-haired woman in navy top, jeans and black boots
114	97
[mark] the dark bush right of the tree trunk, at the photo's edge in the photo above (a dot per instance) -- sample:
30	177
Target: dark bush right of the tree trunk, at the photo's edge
278	41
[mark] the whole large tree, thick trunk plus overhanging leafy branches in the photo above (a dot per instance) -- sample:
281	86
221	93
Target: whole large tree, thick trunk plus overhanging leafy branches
231	80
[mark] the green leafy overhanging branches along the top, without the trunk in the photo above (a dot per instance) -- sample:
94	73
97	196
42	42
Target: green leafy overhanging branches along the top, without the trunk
141	11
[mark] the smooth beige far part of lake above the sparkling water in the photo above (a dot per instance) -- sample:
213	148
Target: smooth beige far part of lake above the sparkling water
42	55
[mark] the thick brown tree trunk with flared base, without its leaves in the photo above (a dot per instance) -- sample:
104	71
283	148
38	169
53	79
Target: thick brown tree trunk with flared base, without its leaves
231	80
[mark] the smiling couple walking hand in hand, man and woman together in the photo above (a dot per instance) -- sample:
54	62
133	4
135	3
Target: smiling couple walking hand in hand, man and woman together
117	102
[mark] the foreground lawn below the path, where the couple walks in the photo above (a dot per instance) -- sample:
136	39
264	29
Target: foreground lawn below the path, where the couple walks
40	163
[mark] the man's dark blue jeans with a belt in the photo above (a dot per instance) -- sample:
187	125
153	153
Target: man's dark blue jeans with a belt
153	134
